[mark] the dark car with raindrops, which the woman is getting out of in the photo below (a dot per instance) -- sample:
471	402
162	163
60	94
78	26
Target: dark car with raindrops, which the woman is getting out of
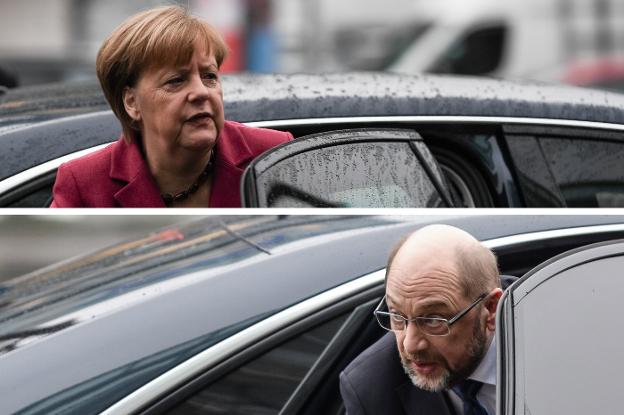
410	141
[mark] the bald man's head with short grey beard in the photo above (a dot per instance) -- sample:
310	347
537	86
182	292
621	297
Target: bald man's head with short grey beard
438	271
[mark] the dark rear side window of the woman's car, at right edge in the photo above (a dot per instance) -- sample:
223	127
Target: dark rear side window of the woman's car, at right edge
589	173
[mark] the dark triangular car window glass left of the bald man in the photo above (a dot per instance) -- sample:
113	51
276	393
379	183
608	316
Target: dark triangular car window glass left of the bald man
264	384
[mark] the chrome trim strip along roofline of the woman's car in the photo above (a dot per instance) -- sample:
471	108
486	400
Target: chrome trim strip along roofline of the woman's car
44	168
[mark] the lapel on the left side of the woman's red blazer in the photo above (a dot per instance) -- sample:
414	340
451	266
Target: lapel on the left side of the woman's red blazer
138	186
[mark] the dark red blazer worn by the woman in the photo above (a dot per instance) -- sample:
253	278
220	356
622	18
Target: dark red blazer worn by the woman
118	175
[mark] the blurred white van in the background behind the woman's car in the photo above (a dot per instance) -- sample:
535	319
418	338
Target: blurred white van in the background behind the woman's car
531	39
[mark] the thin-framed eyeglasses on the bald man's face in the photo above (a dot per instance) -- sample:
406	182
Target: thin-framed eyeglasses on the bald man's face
432	326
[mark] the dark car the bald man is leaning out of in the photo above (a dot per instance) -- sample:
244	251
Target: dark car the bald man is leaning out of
259	314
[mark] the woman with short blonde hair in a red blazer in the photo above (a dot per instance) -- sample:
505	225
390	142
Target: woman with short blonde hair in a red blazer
160	74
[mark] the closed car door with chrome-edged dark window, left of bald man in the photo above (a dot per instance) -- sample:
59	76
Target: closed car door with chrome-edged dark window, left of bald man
290	367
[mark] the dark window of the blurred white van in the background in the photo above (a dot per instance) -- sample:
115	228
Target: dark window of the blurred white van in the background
478	53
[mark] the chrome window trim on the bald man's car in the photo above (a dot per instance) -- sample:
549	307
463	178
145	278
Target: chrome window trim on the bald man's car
209	357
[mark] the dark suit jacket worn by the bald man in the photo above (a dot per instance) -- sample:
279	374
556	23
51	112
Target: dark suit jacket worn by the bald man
375	383
